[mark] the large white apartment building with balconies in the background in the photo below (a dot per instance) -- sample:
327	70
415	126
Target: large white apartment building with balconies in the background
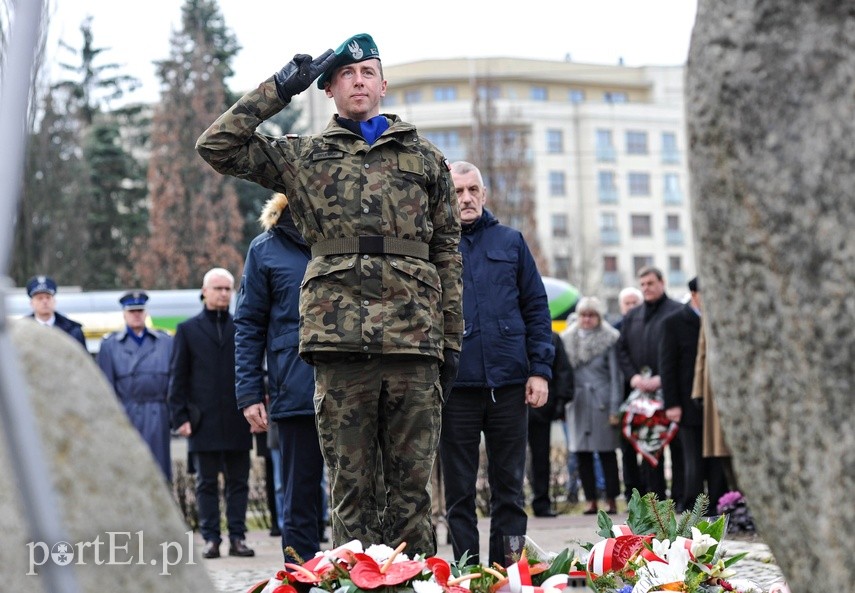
605	146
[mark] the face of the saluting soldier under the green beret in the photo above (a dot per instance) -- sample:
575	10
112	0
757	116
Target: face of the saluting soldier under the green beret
357	90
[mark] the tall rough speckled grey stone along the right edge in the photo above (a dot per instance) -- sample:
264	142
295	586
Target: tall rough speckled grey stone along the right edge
770	88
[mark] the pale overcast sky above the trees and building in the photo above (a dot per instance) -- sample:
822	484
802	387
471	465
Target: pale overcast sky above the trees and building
641	32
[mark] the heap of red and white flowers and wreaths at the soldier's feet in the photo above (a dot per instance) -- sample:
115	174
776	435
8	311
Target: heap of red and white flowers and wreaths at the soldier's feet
655	550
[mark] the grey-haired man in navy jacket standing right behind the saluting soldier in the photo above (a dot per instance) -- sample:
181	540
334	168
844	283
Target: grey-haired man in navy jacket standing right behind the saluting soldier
505	368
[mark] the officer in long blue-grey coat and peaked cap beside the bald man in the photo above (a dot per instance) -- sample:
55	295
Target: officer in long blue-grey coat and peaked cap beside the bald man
136	363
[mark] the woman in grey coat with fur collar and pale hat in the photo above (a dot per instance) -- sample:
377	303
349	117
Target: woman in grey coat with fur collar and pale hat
592	416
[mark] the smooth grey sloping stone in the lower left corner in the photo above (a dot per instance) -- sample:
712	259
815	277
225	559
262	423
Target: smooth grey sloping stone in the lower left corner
105	478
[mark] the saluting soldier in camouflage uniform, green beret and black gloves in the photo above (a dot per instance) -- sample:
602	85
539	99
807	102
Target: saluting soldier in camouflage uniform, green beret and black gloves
380	302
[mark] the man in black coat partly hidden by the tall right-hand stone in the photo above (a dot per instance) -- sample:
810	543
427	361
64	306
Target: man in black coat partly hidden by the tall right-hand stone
678	352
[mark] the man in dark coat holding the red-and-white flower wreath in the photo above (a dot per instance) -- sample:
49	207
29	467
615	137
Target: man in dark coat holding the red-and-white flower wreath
638	355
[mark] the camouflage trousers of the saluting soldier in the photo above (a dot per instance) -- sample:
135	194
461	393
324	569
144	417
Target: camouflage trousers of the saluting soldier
379	420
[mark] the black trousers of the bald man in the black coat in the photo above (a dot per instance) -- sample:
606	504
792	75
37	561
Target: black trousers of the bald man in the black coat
235	468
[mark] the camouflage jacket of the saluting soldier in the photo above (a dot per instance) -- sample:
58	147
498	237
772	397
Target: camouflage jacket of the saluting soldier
339	186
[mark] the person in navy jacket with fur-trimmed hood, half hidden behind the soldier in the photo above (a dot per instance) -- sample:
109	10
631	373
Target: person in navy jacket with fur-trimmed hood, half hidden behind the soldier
267	321
